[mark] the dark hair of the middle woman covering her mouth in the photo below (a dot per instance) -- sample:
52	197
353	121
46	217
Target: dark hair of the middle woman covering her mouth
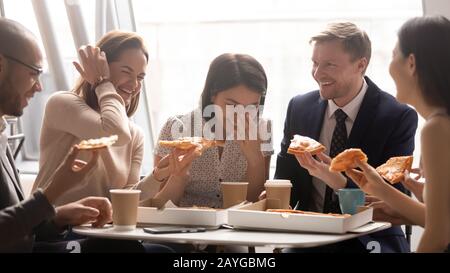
230	70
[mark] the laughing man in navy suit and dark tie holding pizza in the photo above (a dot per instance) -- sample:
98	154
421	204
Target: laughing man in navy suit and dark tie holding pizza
348	111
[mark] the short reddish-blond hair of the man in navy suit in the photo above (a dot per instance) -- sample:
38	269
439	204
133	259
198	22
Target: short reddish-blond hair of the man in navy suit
355	41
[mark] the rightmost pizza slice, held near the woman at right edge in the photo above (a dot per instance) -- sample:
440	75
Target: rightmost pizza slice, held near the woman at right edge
394	168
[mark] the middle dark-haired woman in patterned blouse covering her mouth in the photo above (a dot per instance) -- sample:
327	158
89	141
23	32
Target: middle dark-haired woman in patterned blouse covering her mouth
232	80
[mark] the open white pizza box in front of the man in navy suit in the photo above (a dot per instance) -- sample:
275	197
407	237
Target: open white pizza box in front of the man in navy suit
255	217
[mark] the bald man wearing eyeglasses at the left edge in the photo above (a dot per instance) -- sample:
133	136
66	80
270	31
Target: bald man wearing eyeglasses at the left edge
24	220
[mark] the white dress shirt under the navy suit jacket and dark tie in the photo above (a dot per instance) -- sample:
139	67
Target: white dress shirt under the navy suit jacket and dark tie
326	134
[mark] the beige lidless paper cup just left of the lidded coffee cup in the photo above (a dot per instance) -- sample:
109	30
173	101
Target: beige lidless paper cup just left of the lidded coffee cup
278	192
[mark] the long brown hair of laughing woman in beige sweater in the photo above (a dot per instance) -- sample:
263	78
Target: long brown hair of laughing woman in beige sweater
113	43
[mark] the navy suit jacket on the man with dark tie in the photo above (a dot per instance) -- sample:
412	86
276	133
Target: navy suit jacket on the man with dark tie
383	128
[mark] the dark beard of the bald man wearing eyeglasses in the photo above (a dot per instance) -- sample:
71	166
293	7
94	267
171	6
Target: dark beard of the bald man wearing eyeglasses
10	102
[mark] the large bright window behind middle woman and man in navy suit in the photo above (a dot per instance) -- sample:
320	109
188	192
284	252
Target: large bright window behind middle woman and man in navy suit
185	36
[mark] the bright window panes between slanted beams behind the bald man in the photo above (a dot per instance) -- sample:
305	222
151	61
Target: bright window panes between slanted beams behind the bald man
24	12
